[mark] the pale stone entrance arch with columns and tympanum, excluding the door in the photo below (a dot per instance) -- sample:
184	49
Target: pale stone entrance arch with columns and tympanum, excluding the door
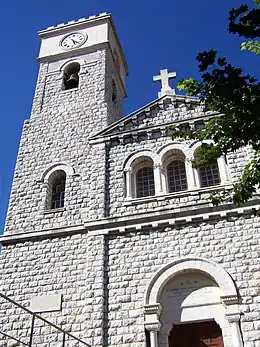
191	290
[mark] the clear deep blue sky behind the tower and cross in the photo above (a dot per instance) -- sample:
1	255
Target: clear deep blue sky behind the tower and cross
154	35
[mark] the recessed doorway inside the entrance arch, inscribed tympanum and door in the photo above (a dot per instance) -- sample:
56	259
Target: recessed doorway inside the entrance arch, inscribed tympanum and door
190	302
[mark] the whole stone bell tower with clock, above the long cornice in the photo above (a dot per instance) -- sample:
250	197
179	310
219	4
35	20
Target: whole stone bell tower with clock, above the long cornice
79	91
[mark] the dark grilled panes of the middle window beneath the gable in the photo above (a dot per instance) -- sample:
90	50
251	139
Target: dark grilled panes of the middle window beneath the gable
176	175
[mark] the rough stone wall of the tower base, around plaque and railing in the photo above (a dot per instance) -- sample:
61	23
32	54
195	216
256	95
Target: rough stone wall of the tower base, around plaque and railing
72	267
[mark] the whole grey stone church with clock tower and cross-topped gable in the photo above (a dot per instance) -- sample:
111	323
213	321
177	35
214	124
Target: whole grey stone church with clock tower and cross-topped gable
110	238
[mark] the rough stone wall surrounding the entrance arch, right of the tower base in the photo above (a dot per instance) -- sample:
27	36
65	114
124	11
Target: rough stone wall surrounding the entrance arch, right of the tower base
134	259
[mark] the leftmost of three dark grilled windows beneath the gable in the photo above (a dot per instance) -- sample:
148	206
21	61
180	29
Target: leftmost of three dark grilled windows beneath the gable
145	182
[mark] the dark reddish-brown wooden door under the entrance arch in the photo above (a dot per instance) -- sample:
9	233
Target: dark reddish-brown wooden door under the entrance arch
205	334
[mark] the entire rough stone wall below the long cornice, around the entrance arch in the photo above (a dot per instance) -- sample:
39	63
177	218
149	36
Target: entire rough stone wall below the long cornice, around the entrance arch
103	279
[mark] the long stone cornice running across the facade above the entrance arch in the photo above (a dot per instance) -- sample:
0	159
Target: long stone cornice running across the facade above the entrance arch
165	218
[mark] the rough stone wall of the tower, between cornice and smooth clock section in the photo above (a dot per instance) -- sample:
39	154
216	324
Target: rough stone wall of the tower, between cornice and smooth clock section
58	132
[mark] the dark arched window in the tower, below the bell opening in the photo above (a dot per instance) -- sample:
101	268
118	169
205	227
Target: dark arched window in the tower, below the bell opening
56	190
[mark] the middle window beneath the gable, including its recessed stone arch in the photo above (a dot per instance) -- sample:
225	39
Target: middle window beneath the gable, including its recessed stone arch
175	171
